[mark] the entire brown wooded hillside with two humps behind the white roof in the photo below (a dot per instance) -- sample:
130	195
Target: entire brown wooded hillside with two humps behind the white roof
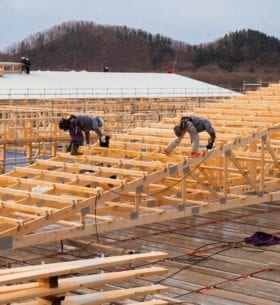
244	55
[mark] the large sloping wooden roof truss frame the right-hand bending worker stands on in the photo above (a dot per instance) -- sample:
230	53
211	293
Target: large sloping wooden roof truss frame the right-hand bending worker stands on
133	183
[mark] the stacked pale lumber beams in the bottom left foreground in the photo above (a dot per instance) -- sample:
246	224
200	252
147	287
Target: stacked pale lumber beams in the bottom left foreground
87	282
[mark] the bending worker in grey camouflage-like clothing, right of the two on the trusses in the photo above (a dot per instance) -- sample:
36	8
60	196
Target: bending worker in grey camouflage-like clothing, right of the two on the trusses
192	125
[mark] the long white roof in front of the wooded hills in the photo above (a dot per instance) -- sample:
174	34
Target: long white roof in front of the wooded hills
50	84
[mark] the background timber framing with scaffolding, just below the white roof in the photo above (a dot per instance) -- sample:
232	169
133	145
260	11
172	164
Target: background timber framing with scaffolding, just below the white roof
31	126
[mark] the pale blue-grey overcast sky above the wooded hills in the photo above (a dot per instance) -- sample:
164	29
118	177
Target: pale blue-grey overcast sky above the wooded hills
191	21
